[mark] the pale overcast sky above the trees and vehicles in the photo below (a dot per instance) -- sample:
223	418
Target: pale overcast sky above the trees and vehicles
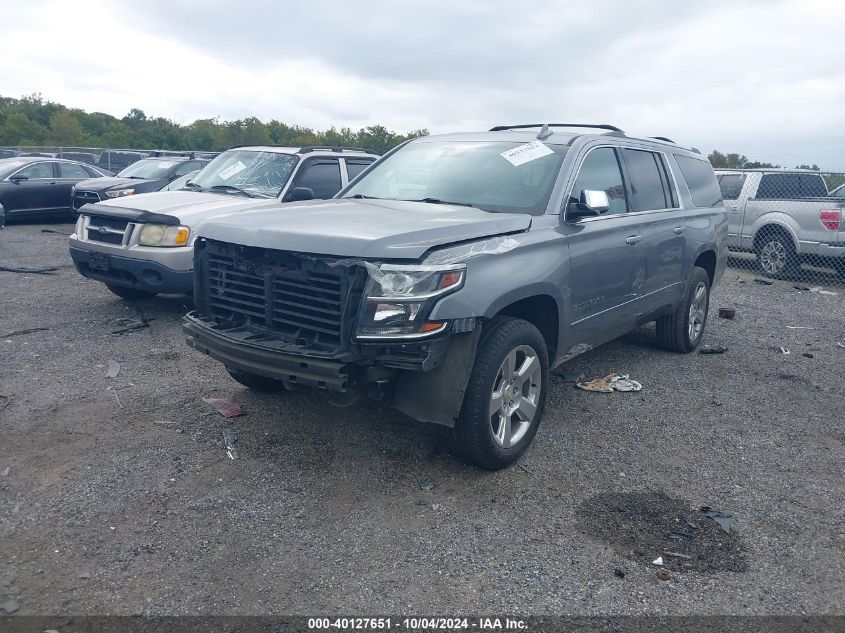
764	78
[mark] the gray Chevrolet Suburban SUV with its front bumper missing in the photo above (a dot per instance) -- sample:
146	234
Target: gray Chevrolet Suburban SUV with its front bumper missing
458	270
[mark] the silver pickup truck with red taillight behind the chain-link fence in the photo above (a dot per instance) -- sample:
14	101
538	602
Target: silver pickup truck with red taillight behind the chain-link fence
784	217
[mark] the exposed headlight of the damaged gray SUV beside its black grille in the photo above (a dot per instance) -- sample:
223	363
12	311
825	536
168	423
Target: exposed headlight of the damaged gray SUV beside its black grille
400	298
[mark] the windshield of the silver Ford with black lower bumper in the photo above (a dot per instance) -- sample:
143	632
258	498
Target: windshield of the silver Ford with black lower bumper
254	173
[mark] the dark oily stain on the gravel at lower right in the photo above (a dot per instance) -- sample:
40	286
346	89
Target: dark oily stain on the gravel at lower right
645	526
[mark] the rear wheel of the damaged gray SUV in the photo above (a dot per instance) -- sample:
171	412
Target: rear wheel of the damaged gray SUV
683	330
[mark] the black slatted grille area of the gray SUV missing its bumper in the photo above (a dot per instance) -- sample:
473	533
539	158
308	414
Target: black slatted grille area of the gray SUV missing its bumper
304	300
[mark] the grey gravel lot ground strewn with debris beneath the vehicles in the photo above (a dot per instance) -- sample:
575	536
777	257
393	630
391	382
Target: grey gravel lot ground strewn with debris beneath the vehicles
117	495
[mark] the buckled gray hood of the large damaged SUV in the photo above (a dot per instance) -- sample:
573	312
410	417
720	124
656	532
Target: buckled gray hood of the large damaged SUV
380	229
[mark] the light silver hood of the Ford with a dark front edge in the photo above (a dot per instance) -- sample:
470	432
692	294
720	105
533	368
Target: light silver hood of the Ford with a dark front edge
190	207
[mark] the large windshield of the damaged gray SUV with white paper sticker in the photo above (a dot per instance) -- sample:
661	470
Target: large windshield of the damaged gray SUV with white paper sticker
472	173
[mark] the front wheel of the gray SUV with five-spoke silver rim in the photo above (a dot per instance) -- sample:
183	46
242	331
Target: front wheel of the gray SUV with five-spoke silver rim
504	400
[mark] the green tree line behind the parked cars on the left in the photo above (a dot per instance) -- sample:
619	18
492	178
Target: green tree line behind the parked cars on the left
32	121
